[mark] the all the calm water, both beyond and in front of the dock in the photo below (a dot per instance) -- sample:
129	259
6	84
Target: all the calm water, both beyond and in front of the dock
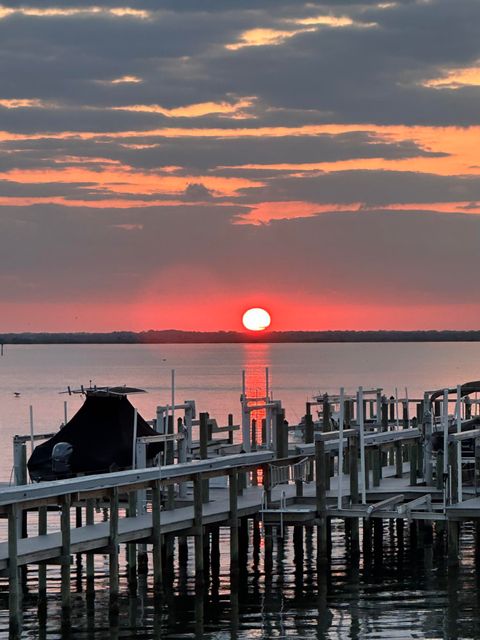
409	594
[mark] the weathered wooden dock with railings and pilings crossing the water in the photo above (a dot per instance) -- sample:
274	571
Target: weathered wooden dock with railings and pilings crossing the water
365	471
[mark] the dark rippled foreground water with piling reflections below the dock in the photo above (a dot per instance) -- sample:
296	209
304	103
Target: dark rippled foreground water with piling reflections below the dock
410	593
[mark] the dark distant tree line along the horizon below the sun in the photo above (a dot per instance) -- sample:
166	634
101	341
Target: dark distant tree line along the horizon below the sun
197	337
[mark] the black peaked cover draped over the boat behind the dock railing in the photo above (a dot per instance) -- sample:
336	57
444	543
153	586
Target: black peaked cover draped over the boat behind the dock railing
101	435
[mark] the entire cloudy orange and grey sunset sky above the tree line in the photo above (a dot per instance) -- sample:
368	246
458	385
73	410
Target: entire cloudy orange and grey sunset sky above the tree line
170	163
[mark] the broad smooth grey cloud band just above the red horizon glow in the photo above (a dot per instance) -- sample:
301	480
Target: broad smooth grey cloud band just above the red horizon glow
360	257
